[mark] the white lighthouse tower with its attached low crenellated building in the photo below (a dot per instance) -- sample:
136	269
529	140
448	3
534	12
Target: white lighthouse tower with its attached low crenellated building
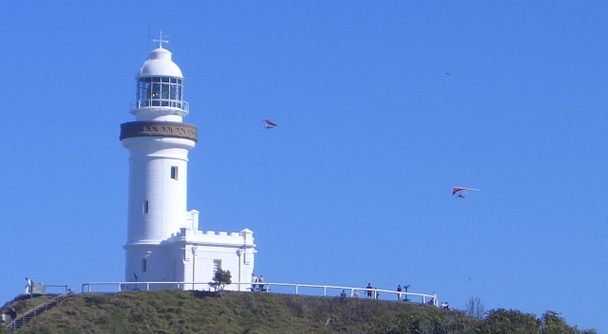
164	243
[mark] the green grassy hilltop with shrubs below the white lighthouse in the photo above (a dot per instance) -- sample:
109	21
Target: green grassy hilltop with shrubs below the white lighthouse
178	311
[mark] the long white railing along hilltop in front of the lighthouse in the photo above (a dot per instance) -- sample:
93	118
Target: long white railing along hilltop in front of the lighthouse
284	288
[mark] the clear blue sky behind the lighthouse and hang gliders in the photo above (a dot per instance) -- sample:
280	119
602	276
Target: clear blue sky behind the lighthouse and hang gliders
354	185
